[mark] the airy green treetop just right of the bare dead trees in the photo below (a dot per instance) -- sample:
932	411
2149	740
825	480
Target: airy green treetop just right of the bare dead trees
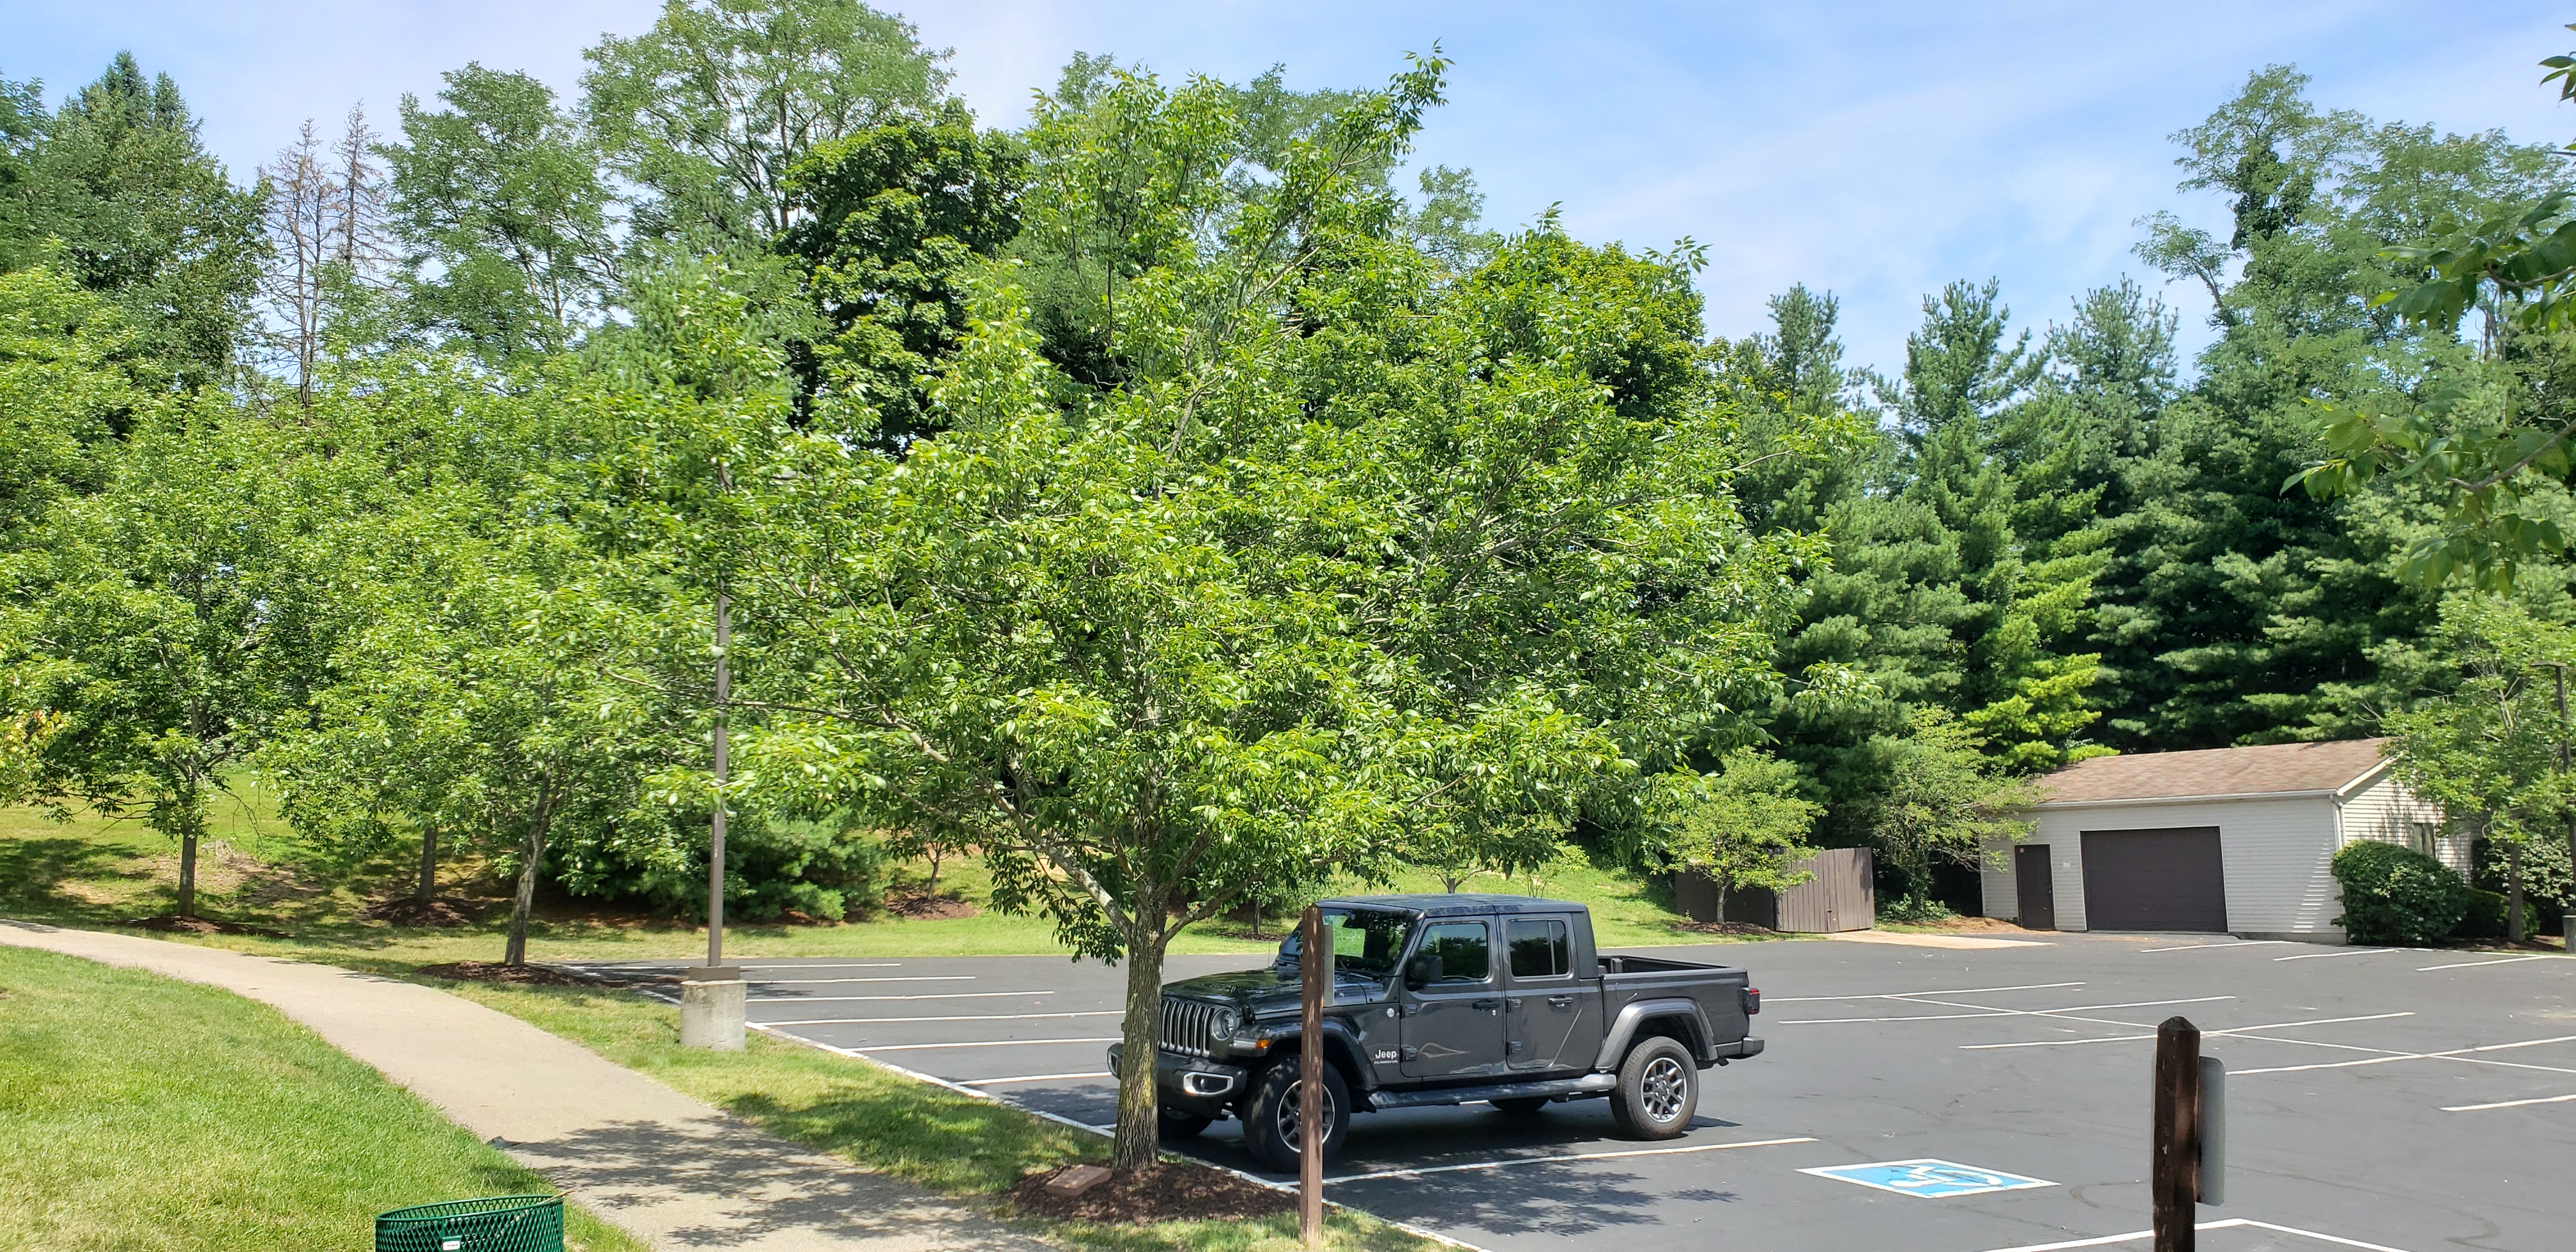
504	215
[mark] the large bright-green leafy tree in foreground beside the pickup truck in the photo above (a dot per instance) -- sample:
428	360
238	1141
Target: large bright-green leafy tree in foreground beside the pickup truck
1238	620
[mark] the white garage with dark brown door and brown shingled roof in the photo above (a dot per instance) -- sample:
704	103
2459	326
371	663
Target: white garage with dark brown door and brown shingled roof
2224	841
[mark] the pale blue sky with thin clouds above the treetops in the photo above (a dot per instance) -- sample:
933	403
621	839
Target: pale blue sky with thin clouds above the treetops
1877	151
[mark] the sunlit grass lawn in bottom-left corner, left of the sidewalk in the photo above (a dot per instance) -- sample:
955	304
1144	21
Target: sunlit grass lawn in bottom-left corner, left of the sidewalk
146	1114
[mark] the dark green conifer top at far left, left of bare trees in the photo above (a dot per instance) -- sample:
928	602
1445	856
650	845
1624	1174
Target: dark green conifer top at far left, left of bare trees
125	197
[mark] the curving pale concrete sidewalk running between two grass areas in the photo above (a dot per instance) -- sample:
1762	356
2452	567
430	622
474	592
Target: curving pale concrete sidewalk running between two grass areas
638	1153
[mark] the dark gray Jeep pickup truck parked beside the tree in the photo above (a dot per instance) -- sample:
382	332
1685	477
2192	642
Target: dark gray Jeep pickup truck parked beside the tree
1441	1001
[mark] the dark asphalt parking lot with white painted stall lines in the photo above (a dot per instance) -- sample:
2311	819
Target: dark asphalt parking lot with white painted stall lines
2379	1099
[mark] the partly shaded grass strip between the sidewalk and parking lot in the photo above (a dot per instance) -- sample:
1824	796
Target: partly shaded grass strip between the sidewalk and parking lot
885	1122
